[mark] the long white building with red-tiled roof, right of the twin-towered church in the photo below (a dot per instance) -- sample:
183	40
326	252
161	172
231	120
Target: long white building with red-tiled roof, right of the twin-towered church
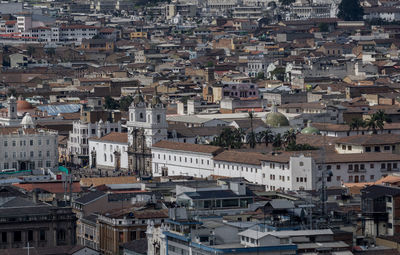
282	170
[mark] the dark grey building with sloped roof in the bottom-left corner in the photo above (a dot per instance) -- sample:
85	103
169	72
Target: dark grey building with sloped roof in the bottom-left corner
25	221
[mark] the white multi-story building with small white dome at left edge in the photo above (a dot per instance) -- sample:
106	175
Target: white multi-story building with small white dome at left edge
27	147
